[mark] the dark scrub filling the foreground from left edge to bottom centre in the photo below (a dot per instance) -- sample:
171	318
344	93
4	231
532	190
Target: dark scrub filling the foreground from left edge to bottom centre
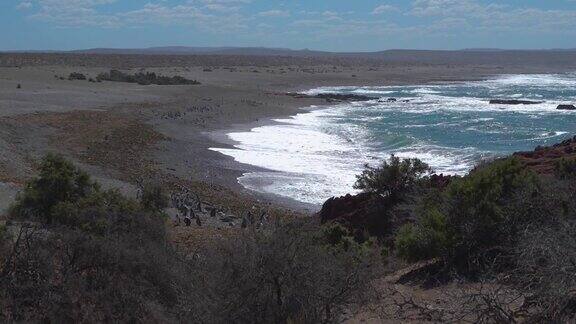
73	252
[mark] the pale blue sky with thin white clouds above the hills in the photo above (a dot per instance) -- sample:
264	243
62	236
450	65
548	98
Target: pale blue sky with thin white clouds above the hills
331	25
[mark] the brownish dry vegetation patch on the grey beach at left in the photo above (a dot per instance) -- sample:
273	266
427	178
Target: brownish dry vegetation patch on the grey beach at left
99	138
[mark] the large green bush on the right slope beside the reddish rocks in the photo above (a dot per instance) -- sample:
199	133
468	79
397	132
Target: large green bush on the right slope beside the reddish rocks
474	217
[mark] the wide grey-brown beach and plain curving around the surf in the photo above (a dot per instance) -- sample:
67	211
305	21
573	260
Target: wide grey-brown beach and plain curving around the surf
127	133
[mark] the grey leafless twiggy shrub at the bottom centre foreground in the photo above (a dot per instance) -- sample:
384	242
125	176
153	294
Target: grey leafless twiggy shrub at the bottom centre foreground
286	274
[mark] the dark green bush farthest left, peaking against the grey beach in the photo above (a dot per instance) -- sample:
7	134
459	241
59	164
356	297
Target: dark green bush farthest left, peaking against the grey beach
58	181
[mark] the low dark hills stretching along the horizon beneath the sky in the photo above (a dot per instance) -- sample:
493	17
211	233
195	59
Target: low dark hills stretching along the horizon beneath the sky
262	56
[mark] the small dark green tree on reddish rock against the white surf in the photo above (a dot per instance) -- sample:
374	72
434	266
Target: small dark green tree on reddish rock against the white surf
393	178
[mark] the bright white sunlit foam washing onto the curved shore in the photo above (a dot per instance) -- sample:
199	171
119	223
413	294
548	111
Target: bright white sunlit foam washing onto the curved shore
313	165
